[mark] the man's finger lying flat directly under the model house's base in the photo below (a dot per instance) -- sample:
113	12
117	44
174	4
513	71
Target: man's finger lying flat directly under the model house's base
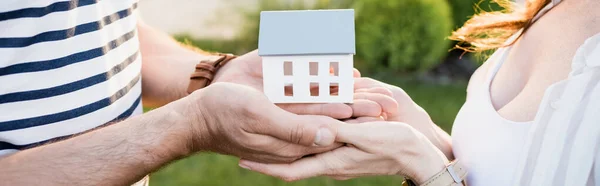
334	110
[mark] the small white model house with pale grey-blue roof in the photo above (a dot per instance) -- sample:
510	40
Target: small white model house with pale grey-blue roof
308	55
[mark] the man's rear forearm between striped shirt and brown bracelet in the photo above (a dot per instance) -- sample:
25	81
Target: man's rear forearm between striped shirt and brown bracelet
167	66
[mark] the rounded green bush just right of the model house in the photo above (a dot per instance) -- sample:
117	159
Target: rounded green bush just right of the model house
402	35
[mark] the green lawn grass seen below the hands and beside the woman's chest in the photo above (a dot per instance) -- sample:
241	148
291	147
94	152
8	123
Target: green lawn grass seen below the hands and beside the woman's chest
207	169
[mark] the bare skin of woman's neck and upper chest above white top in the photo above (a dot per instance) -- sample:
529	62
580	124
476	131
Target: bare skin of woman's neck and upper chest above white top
541	57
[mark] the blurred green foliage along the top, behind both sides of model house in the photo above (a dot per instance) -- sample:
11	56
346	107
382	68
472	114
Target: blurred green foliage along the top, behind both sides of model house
406	36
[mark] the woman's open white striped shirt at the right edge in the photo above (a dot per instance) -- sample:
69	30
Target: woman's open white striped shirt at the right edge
563	144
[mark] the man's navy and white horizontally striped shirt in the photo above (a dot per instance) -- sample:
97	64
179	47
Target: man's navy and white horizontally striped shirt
66	66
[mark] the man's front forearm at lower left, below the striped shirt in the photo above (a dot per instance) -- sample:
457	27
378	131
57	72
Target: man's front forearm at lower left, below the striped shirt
119	154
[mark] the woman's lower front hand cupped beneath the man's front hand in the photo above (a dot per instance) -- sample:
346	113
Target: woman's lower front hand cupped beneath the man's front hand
376	148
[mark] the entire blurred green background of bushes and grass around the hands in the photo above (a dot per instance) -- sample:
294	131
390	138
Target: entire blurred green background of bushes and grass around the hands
401	42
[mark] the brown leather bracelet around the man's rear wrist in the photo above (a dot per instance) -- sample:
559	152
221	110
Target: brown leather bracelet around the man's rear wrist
205	72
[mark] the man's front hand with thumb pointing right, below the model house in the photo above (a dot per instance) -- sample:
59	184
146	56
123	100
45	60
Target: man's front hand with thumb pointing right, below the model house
239	120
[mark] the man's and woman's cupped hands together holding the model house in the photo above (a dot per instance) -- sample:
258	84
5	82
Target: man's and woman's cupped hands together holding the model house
382	133
